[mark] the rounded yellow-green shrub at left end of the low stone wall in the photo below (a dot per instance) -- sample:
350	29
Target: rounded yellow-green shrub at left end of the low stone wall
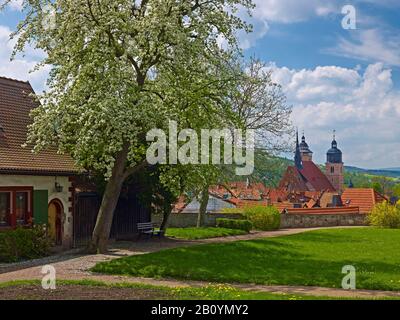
263	218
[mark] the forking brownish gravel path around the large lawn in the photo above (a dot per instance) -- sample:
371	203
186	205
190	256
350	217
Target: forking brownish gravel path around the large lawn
74	266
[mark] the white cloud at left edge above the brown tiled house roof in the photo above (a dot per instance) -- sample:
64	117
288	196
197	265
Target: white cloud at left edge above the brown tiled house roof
20	68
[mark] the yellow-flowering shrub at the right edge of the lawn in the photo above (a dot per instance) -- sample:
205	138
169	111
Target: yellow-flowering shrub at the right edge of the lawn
385	215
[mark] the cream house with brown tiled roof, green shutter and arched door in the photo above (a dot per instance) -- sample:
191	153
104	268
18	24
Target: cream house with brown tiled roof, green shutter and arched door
34	188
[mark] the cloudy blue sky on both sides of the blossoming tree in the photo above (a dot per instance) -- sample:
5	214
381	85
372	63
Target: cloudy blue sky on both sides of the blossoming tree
348	80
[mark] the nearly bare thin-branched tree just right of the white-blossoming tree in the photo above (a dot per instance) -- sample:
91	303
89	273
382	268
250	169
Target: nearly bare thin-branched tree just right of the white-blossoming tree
260	105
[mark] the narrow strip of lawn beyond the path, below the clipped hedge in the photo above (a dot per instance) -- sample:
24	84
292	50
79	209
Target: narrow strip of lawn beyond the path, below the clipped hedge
202	233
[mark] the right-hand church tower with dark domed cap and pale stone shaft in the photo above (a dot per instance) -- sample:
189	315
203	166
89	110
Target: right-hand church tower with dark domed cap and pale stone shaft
334	166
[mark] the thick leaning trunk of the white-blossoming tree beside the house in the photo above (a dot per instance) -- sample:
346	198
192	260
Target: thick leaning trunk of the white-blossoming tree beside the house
102	229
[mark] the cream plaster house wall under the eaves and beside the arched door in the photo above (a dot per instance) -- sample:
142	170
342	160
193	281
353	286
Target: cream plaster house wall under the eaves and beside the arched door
46	183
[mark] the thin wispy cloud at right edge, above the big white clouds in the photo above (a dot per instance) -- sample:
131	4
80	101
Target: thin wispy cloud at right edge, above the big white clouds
370	45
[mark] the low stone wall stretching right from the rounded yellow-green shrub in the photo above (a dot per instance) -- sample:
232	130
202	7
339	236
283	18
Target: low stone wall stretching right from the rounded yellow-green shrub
319	220
